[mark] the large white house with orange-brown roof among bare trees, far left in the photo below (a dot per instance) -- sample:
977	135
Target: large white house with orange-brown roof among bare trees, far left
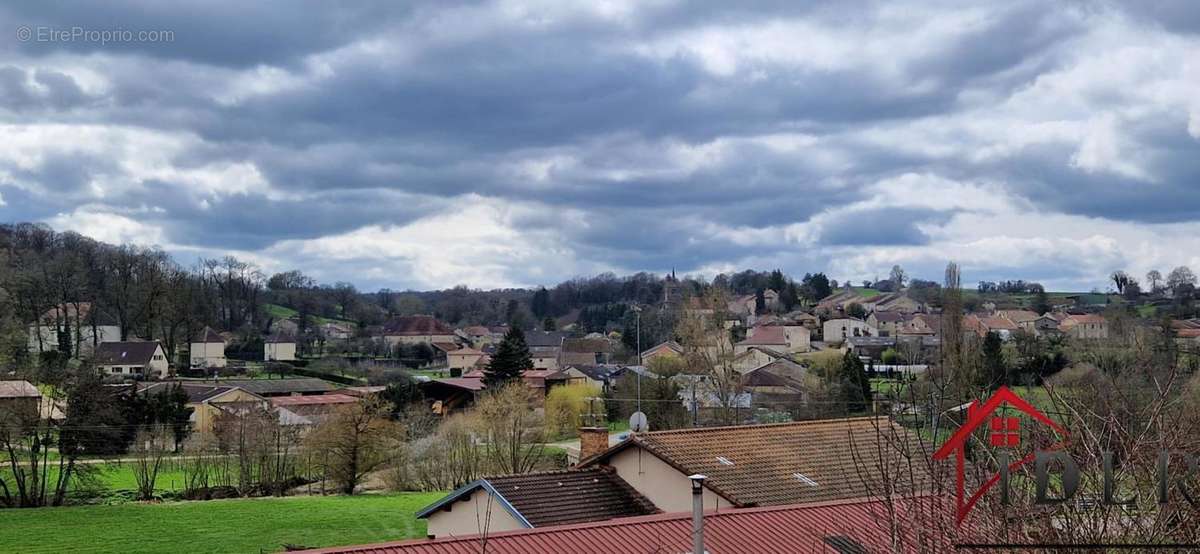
79	324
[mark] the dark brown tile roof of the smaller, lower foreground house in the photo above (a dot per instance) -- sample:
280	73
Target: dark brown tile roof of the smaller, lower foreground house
561	498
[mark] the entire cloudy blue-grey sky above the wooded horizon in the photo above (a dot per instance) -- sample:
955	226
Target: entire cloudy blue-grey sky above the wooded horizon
520	143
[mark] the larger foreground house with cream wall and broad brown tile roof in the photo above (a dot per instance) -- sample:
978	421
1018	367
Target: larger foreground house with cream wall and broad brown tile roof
765	465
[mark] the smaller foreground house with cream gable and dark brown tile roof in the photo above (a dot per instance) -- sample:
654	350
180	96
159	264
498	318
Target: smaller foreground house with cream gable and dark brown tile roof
535	501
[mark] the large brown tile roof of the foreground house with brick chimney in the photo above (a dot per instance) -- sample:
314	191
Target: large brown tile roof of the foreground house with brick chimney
788	463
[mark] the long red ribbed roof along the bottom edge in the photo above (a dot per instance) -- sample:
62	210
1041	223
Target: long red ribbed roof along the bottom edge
855	526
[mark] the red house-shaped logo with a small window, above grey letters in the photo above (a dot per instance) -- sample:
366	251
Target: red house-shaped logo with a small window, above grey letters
1003	432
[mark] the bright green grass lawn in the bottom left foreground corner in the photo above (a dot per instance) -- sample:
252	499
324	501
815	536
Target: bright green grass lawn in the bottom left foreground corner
243	526
